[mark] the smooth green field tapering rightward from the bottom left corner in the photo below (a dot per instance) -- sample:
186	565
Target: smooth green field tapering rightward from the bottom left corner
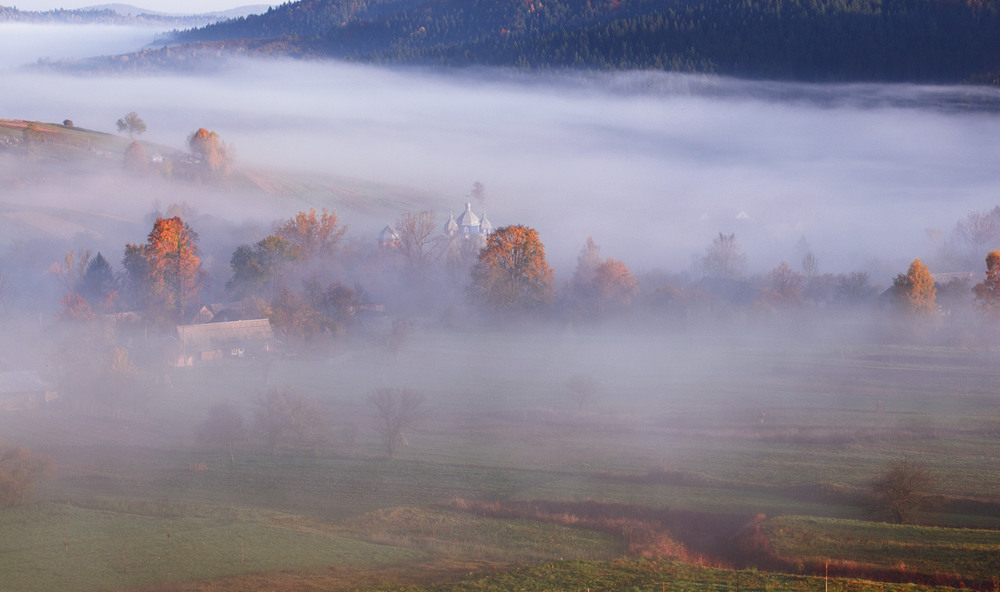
63	547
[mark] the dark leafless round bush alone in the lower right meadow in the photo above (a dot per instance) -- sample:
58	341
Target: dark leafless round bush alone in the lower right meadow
900	491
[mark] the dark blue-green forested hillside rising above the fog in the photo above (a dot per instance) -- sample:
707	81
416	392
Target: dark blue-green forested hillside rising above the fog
821	40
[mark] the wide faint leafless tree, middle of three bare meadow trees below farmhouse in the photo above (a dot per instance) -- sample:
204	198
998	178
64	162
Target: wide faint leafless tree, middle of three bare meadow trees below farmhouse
287	418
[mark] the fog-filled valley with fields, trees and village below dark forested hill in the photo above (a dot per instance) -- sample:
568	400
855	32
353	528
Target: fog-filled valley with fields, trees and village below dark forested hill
319	325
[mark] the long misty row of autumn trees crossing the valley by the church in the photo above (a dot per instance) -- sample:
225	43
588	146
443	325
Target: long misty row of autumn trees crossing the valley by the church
311	282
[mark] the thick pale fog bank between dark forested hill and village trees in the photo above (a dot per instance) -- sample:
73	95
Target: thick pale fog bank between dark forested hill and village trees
652	165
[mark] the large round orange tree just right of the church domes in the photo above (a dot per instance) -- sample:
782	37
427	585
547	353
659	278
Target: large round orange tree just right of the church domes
511	272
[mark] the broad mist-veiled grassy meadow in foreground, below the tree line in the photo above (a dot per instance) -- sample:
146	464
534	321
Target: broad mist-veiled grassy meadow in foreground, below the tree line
687	444
